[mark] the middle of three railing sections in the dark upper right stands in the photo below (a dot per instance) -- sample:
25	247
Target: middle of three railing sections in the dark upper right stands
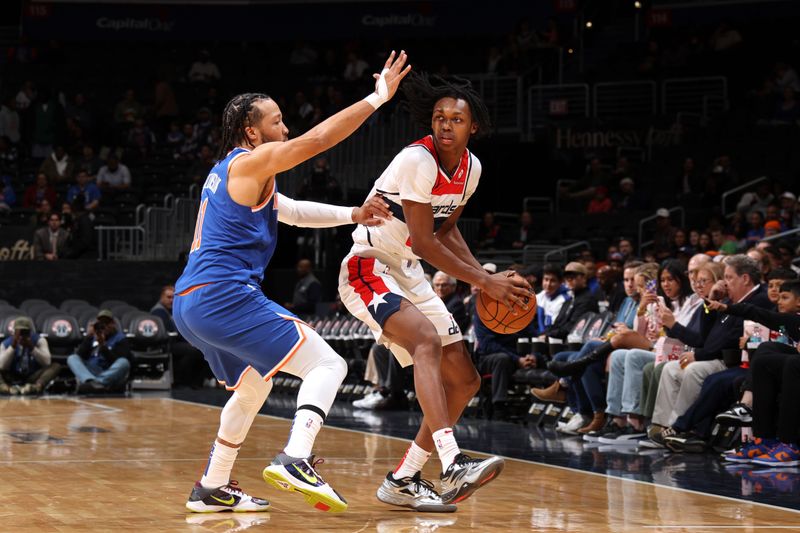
624	98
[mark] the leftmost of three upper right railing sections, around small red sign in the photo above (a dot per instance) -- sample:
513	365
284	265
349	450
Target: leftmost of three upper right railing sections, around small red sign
557	101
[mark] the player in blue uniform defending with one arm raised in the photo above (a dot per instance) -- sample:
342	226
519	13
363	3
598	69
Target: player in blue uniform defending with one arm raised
245	337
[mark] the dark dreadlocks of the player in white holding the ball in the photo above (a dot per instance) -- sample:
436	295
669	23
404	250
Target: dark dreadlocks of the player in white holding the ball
423	91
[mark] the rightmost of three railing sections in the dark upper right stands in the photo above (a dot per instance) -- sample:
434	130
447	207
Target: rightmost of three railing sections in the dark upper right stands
694	94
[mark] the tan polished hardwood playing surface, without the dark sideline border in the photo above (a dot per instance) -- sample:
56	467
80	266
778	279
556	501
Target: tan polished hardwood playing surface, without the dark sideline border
71	464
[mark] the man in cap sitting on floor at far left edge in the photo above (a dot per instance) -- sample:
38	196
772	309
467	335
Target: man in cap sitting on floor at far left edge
25	364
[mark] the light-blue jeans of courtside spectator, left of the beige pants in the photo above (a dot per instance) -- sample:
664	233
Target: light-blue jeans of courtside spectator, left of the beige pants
625	381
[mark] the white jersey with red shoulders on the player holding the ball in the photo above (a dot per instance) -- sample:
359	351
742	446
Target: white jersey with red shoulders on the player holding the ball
415	174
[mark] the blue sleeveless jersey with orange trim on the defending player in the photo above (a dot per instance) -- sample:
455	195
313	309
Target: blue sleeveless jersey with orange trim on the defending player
231	242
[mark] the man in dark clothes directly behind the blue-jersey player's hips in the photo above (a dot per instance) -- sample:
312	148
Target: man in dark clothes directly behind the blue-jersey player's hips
189	367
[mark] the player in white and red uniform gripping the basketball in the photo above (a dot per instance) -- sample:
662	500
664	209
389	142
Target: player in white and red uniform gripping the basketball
381	282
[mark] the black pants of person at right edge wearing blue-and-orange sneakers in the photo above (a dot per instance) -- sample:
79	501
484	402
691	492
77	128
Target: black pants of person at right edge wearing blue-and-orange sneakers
776	393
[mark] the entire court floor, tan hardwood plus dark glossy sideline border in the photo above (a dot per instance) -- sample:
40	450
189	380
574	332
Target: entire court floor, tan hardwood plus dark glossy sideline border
128	464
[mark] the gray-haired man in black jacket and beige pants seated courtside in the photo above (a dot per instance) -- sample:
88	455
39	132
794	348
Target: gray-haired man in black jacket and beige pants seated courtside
681	380
